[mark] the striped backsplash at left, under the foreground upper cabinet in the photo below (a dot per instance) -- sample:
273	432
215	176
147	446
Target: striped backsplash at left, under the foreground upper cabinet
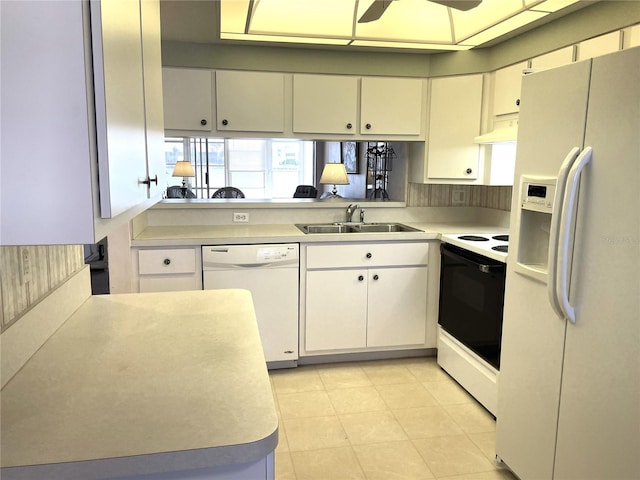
48	266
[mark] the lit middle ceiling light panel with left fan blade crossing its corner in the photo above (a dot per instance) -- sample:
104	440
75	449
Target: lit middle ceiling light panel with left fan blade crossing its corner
407	21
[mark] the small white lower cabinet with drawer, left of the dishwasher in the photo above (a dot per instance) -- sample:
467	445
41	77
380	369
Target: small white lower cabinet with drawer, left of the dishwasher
168	270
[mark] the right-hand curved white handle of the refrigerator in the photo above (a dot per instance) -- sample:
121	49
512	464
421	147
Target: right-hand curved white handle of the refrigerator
565	244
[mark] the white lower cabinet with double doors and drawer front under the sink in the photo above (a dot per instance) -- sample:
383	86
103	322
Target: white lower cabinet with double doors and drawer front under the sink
365	296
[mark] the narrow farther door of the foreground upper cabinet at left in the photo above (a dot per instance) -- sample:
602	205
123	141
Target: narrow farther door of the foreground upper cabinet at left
152	64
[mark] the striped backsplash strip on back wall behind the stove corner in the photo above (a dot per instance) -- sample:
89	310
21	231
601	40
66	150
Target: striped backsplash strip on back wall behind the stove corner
421	195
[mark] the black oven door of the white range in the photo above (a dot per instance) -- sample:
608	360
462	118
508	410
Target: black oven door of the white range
471	300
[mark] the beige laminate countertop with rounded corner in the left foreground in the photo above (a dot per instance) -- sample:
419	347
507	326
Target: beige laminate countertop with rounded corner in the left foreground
138	384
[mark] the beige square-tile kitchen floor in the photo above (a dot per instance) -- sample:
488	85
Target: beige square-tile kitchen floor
381	420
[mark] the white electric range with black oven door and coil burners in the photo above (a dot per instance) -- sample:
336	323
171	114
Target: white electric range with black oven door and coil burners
472	280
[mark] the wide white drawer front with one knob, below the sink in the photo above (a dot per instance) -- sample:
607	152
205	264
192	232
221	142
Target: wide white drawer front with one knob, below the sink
367	255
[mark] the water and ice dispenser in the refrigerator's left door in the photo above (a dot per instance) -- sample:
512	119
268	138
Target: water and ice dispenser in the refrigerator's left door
536	205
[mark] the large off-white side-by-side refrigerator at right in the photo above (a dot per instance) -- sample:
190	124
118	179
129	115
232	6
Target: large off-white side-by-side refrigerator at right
569	384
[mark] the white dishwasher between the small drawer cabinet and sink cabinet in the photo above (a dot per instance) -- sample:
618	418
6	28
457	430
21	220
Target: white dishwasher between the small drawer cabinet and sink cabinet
271	273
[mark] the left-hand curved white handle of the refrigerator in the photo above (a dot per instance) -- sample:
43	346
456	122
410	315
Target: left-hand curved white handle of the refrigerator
561	185
